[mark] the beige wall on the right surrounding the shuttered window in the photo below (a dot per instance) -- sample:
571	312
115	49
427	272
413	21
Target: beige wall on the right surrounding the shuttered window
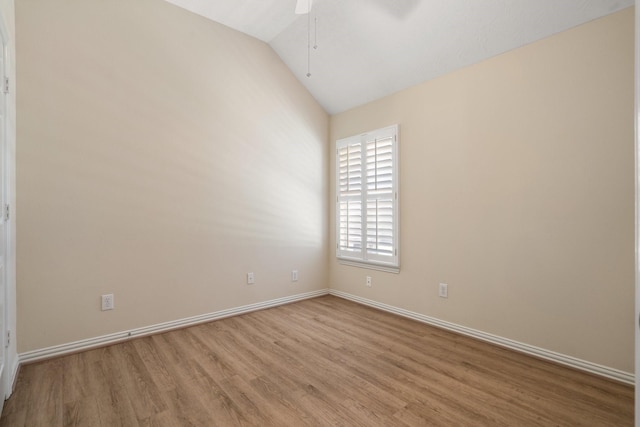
517	191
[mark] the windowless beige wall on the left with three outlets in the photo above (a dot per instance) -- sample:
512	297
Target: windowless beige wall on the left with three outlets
160	157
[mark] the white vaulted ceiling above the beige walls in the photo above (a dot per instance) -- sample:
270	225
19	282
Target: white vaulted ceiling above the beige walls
368	49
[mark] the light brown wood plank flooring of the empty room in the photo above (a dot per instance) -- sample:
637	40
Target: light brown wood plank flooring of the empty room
320	362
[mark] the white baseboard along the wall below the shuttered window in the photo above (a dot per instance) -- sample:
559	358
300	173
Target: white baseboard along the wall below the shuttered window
562	359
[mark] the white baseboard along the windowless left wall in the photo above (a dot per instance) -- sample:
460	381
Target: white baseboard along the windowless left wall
76	346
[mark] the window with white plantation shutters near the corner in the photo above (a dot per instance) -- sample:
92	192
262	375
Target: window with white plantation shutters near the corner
367	199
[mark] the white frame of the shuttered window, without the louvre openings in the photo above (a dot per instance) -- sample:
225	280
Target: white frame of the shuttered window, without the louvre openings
362	257
